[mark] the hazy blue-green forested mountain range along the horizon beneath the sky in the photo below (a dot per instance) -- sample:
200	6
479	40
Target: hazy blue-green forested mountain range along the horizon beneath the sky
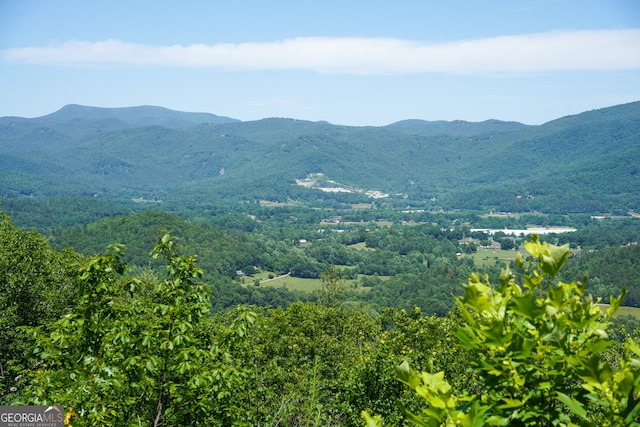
582	163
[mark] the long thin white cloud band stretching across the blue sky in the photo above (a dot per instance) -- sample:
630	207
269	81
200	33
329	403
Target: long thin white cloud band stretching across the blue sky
552	51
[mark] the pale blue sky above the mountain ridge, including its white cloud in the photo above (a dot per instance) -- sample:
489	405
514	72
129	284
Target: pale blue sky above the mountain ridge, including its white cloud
347	62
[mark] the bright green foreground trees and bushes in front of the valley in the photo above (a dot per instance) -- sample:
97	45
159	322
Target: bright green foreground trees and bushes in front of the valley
122	346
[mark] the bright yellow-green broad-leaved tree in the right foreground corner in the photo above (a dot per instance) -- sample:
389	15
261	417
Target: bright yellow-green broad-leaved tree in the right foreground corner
542	355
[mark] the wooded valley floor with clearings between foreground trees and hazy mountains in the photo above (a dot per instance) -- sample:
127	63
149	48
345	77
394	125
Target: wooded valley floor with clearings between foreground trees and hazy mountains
388	258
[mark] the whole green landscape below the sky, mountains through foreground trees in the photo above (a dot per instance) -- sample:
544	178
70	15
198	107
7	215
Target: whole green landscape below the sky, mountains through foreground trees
161	268
